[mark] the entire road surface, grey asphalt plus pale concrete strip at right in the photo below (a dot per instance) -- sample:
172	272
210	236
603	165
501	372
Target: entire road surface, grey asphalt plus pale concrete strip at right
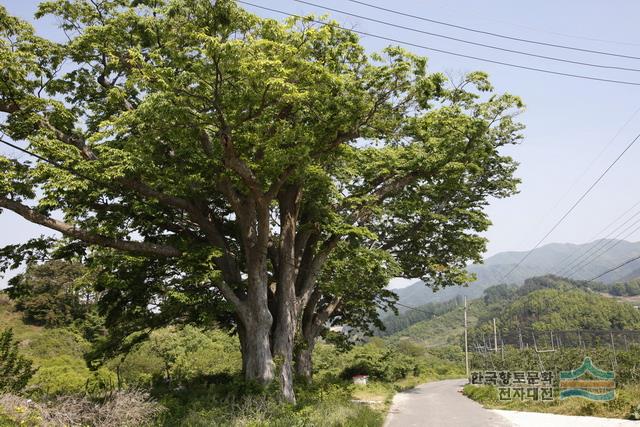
441	404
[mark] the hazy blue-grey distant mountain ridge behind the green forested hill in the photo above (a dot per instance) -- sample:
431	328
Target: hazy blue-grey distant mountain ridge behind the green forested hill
542	261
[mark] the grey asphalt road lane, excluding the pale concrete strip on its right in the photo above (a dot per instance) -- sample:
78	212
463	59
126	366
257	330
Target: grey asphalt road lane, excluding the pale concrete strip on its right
440	404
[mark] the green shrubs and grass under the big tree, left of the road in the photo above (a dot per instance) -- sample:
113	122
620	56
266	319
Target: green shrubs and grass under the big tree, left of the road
192	378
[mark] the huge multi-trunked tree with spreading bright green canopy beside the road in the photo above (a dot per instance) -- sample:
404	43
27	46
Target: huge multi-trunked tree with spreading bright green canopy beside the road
237	153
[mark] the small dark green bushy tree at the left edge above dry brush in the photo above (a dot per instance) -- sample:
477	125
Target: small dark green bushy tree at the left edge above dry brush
15	370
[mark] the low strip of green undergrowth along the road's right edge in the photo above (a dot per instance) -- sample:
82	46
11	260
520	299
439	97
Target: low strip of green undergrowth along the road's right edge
626	404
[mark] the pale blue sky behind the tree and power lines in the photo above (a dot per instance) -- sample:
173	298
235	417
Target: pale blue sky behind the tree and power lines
568	121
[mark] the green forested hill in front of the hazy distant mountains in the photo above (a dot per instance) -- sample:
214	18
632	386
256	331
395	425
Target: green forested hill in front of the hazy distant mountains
542	303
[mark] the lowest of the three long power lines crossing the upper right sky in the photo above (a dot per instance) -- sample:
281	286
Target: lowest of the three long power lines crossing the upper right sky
447	52
